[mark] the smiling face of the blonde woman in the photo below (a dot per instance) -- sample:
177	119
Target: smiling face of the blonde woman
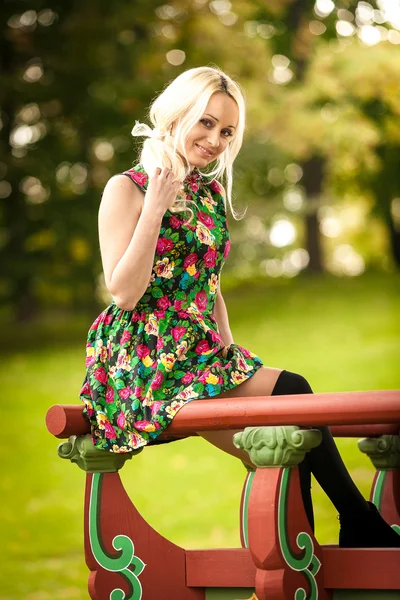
215	129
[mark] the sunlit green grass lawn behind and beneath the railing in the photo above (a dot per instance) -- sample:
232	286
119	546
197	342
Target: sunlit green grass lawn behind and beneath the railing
341	334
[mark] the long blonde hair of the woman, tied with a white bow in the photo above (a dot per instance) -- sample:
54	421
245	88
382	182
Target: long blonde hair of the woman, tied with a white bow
183	102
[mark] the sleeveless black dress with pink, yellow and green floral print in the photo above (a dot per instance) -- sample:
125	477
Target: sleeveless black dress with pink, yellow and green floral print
143	365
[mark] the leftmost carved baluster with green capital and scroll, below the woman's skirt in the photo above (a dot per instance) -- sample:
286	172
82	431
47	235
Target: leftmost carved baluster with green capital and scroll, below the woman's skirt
127	558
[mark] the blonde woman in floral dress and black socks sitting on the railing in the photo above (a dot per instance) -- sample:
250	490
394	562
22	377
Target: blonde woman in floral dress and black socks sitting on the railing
165	338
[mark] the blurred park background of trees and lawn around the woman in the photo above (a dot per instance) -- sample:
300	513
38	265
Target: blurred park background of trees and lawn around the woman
312	280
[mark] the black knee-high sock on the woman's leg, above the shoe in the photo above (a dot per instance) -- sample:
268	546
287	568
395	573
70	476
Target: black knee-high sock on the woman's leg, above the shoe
324	462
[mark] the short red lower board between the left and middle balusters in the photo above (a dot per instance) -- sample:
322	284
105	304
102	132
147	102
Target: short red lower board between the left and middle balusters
225	567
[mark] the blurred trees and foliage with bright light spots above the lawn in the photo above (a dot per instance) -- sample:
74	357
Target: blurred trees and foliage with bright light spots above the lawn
319	92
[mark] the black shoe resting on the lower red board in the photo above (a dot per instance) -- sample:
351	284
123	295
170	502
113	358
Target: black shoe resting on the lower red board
367	530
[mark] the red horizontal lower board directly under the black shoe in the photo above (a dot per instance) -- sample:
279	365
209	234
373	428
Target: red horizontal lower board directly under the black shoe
361	568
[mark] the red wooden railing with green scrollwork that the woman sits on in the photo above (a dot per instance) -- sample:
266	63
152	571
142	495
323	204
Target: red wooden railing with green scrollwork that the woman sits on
172	573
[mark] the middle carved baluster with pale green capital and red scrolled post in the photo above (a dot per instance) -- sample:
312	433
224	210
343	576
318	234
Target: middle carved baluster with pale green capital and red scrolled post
282	545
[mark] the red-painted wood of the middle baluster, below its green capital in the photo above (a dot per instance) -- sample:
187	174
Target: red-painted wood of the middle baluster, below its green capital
274	578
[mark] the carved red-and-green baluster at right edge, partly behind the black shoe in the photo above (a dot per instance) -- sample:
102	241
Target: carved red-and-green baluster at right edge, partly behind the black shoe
384	453
